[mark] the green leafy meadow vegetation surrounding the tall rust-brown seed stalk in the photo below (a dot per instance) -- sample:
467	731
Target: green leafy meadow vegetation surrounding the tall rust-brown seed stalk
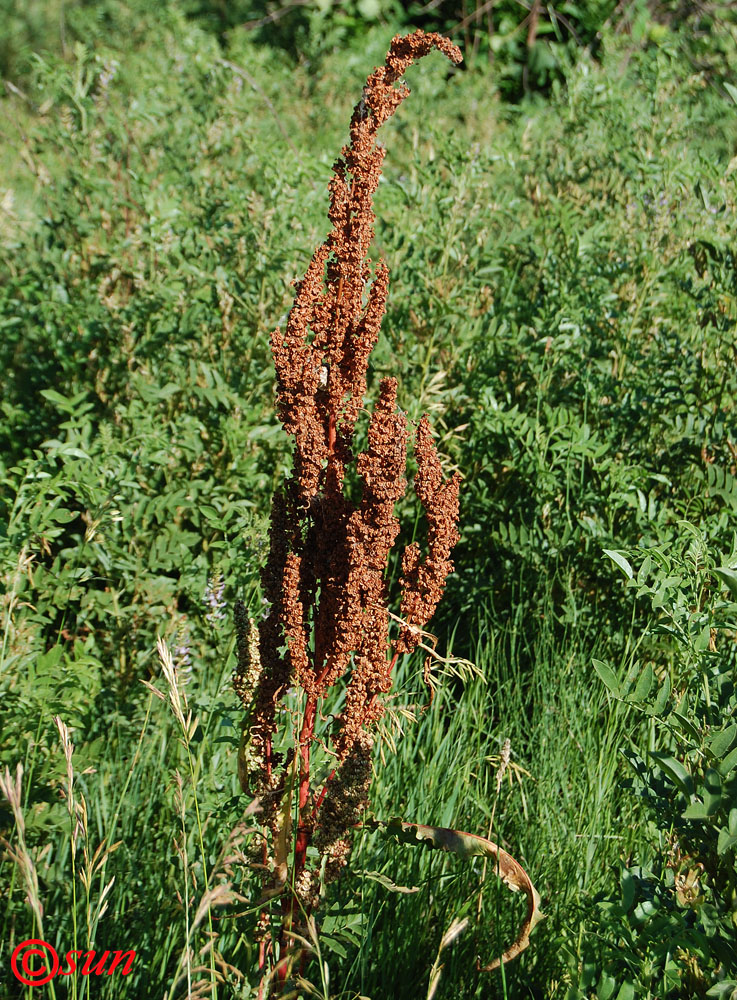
563	300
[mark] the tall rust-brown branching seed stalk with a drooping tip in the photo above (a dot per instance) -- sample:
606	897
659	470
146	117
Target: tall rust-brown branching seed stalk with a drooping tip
327	628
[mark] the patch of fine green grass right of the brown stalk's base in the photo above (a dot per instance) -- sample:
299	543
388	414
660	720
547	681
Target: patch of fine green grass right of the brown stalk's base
561	805
